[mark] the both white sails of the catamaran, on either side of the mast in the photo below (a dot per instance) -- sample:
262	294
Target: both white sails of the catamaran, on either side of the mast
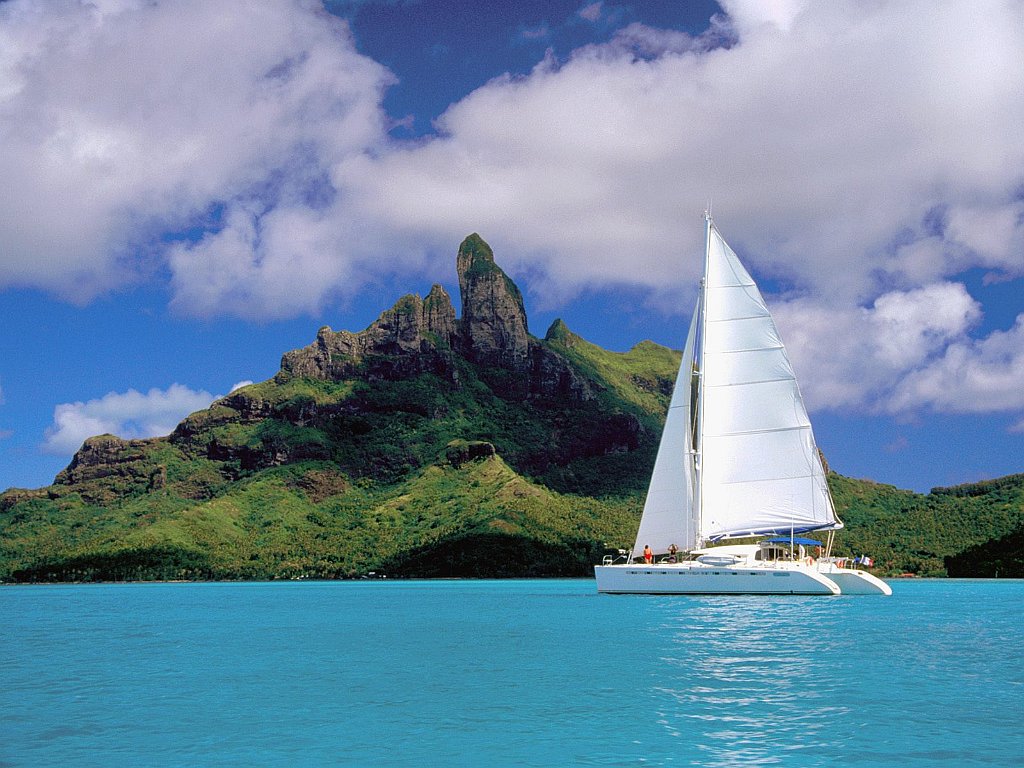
738	456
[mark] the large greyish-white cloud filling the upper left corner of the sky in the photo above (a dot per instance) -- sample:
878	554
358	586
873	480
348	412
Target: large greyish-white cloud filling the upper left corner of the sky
123	120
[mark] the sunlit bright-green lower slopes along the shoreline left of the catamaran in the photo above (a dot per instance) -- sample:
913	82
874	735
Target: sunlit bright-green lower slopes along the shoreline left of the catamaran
307	521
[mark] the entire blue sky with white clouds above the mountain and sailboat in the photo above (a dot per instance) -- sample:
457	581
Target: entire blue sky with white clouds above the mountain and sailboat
193	189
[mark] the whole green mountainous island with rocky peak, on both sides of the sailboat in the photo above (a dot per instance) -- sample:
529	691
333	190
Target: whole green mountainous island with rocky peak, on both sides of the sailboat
428	445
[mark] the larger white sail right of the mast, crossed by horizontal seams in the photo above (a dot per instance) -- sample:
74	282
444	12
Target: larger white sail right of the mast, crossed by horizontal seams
761	472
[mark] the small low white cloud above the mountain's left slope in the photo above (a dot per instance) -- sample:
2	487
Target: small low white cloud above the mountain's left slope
129	415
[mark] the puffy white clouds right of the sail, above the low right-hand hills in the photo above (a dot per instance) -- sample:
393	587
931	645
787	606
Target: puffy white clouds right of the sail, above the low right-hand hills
910	352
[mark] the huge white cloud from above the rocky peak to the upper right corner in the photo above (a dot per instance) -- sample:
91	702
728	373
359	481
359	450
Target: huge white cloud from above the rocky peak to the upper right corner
828	141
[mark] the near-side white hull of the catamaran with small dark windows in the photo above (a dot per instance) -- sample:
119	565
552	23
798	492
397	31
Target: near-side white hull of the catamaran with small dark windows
692	579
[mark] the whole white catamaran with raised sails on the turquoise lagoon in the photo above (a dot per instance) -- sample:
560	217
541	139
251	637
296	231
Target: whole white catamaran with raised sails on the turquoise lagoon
738	460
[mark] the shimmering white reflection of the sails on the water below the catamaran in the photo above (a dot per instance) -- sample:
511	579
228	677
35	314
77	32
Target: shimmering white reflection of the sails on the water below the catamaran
748	694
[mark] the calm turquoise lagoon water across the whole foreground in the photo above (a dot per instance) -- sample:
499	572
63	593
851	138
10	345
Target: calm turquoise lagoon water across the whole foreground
529	673
